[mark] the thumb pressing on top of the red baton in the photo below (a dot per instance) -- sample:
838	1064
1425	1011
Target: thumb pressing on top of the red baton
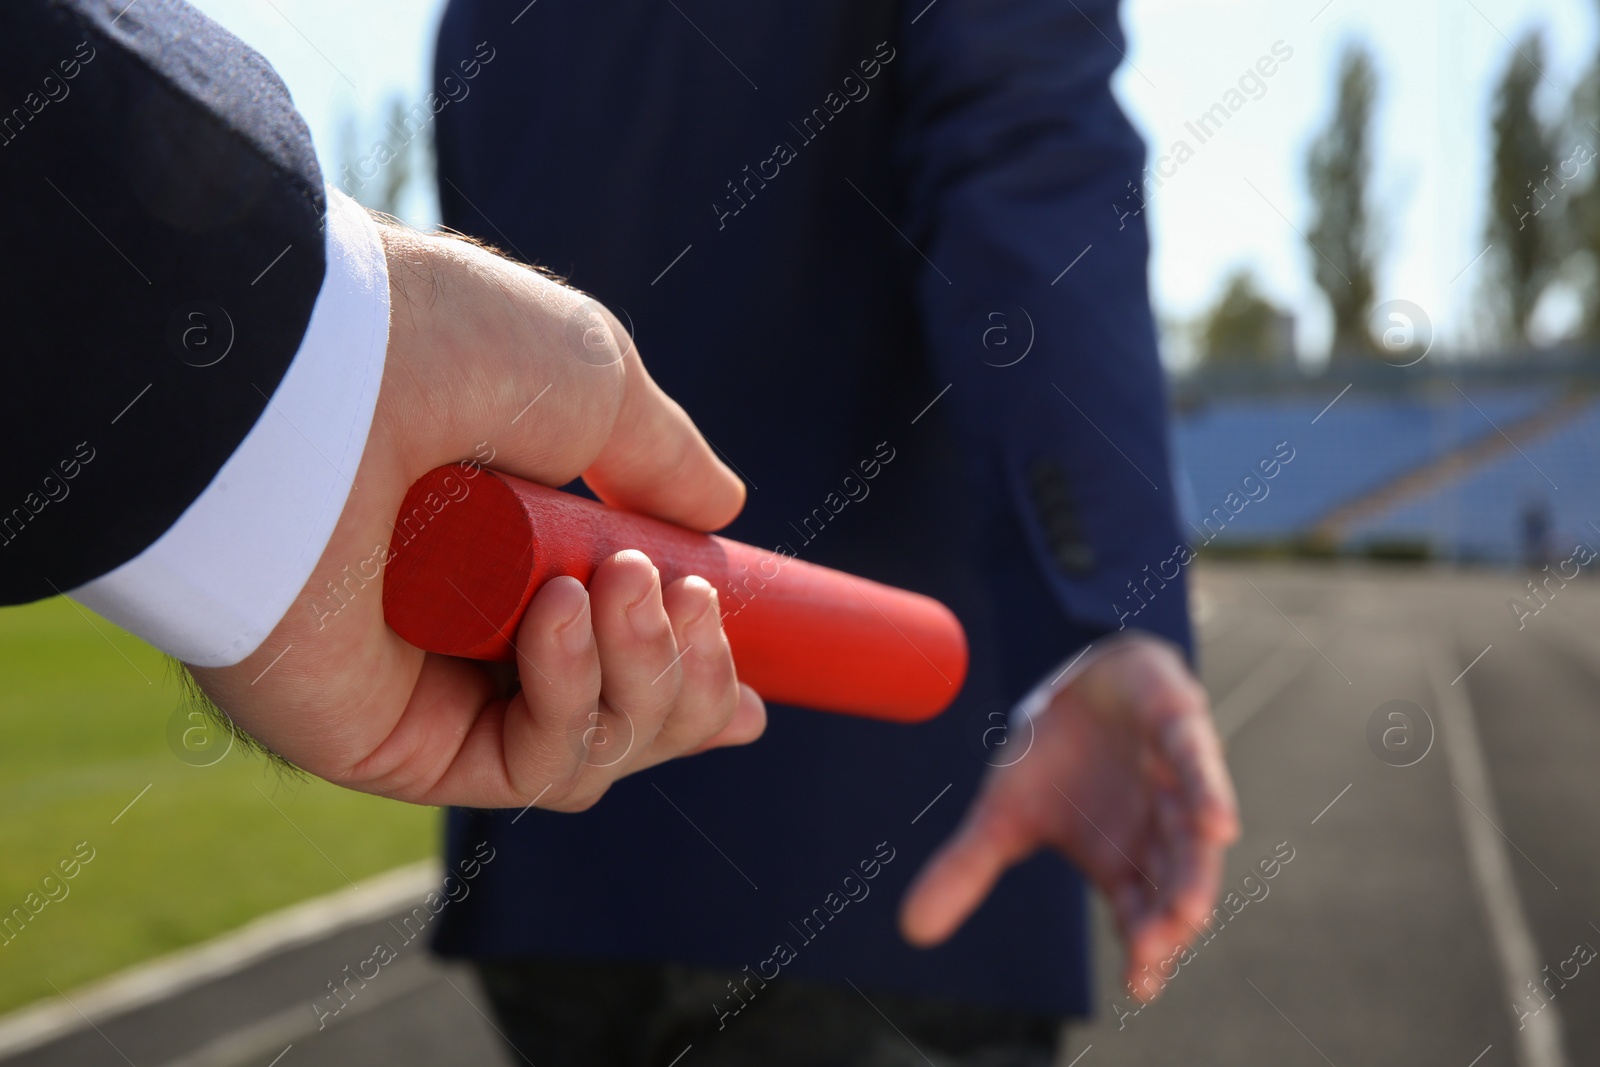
658	463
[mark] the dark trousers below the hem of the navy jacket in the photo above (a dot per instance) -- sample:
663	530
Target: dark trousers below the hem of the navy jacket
628	1015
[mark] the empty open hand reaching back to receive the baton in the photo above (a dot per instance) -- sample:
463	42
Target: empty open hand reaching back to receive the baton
1124	775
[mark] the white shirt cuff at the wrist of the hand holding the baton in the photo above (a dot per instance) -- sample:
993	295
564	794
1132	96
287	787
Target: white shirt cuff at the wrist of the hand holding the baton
220	580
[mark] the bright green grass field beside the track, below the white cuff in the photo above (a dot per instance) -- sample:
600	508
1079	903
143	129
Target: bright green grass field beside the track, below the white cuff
84	729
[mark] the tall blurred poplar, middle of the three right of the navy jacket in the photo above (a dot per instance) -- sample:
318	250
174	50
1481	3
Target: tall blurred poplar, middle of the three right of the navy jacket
1524	198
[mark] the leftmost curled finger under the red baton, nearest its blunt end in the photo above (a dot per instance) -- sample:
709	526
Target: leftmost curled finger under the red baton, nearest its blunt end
559	666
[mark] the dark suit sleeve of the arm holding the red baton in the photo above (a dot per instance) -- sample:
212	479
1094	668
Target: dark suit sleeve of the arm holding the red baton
164	255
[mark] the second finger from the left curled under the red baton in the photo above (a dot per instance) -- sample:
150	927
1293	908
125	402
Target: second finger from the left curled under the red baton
639	655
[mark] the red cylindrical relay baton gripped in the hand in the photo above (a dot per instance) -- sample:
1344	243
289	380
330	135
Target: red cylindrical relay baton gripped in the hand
473	548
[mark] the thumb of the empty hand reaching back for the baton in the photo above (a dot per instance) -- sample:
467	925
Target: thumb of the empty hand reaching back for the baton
964	871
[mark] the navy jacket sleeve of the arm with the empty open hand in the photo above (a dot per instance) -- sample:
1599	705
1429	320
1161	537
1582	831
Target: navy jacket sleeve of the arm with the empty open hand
1018	166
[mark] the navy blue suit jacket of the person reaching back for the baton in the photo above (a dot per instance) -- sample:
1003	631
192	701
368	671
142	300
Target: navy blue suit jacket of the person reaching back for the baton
846	234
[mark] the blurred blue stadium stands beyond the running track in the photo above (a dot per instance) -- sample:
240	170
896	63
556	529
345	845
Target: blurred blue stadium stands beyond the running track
1465	463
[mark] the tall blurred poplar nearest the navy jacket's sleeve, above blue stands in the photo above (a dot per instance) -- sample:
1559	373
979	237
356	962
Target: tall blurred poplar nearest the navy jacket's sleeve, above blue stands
1342	239
